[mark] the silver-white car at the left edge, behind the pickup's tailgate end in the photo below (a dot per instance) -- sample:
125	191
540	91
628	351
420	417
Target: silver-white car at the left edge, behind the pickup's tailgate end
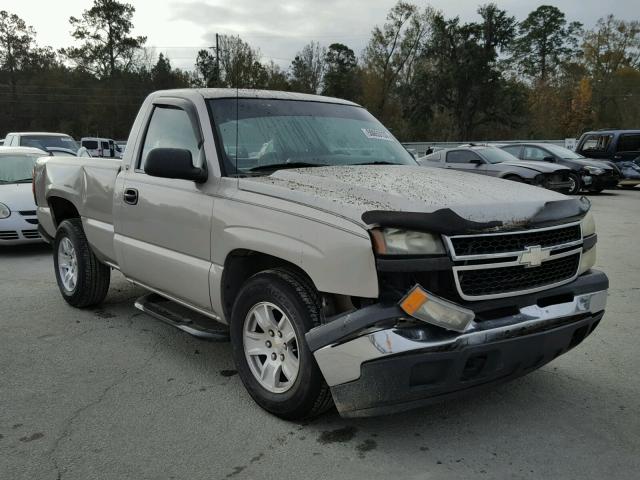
18	221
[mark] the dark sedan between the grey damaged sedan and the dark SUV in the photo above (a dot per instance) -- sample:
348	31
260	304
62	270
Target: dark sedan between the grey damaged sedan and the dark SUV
586	174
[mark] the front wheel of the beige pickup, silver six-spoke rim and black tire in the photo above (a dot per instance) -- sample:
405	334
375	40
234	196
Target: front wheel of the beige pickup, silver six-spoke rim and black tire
293	295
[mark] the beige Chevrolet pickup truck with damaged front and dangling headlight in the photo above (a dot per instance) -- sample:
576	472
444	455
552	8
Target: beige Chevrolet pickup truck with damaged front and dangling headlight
342	271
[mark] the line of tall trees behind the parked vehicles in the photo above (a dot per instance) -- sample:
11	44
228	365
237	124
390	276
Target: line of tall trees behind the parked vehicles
425	76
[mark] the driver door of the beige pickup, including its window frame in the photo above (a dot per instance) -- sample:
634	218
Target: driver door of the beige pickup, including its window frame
163	225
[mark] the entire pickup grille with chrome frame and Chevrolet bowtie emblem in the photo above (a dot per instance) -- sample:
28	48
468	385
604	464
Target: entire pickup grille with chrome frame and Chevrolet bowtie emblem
506	263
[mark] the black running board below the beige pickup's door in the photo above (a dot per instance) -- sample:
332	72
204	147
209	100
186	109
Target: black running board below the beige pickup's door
181	317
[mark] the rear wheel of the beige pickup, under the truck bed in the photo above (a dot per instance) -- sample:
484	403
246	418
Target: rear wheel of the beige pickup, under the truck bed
92	276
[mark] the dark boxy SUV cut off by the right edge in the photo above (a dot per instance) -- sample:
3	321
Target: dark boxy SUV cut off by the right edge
619	146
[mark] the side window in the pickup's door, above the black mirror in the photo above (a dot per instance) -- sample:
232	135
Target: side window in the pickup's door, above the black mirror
170	127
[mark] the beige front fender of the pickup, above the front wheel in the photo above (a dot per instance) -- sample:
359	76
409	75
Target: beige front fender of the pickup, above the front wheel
338	259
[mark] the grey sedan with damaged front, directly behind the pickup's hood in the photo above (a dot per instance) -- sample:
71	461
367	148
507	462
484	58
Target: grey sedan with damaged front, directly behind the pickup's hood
492	161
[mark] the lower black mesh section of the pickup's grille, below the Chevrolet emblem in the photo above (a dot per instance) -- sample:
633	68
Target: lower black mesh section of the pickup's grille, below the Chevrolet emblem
491	281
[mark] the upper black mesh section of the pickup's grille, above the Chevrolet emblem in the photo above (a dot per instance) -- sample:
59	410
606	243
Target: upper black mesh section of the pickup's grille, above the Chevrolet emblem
503	243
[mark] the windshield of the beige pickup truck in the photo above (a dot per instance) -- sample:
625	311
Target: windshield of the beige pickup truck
265	135
